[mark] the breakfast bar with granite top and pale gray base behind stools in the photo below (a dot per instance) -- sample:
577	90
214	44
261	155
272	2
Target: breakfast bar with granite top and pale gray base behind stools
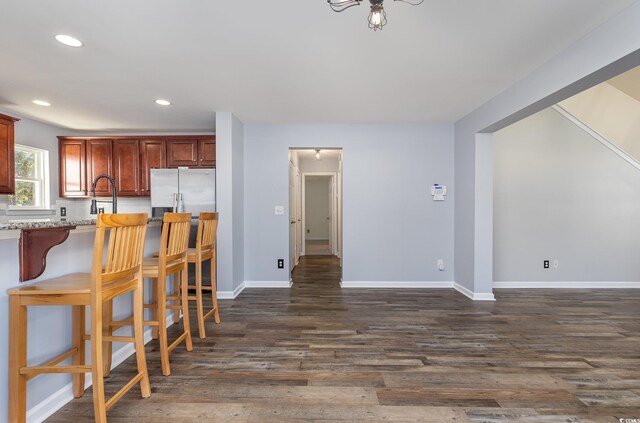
50	327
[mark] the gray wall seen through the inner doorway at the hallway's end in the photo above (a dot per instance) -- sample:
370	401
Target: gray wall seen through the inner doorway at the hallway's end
317	208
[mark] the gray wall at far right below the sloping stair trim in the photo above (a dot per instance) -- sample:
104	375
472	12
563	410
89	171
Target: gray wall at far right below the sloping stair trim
560	194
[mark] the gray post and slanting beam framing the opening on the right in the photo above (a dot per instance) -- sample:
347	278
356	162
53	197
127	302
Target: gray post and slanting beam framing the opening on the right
608	50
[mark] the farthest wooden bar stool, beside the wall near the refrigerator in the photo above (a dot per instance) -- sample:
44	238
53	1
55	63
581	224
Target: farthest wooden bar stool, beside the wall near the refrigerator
205	250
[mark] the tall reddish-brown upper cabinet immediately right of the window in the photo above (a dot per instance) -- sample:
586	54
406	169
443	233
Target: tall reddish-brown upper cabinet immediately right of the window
73	174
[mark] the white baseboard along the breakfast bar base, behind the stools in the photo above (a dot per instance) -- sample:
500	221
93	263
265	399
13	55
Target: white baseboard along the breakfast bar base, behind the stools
54	402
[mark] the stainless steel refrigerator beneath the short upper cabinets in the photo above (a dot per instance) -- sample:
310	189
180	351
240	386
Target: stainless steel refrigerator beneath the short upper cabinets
183	190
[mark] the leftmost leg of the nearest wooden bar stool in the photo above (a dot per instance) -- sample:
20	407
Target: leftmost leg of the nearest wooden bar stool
17	360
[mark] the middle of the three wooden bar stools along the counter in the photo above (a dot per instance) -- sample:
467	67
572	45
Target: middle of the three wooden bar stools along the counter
171	259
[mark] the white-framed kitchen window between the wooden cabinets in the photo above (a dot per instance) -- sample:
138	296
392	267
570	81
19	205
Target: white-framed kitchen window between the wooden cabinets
32	178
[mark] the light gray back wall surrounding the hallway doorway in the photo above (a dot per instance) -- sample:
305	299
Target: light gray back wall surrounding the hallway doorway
393	230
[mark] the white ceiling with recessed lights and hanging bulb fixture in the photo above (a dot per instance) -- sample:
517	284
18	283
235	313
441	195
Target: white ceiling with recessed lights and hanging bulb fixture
281	61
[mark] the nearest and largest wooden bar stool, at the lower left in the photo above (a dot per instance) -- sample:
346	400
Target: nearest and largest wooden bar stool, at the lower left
121	274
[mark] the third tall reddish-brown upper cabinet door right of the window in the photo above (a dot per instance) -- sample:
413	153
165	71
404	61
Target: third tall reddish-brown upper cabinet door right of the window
126	163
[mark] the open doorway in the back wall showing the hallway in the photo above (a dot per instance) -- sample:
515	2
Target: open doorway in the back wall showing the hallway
315	205
